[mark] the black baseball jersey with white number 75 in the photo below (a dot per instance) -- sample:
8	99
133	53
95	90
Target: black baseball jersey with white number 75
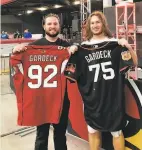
96	68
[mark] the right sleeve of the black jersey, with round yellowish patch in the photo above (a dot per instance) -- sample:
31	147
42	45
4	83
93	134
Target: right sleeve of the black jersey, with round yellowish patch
125	60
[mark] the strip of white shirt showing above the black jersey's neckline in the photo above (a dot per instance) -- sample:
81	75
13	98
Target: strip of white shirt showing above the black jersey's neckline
99	41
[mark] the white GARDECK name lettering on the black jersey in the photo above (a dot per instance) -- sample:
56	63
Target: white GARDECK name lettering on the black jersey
98	55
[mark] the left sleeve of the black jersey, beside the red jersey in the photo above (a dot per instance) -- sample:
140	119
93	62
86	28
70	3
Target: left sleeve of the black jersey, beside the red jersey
72	70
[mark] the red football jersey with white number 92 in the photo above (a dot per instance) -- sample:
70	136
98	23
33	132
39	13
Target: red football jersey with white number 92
39	84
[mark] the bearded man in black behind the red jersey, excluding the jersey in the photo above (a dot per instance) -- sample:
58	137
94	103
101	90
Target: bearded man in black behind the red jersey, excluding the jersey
51	27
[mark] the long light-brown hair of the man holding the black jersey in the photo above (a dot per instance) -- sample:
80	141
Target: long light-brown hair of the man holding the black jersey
105	28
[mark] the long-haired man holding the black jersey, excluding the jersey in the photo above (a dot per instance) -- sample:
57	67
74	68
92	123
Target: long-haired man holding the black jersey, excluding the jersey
96	31
